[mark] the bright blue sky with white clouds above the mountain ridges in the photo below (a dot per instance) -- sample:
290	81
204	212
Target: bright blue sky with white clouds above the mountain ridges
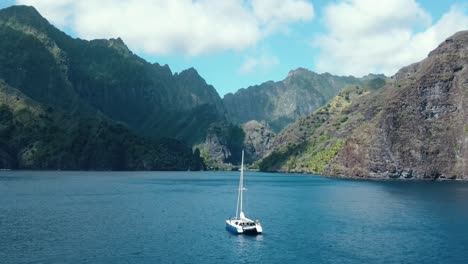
238	43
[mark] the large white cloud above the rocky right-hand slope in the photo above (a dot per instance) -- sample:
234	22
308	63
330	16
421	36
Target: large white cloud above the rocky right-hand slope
366	36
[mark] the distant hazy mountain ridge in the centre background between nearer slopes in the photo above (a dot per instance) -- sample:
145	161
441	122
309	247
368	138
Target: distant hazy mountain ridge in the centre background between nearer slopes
280	103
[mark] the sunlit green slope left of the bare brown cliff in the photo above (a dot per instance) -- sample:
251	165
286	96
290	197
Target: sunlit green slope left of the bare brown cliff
309	144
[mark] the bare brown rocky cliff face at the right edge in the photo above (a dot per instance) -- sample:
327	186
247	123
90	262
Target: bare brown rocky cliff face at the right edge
421	131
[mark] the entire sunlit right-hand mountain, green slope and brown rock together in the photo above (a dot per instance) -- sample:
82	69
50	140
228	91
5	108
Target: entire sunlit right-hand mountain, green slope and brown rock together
413	128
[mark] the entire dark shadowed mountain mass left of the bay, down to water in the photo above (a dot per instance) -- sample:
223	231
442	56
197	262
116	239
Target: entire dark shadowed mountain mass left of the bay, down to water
75	104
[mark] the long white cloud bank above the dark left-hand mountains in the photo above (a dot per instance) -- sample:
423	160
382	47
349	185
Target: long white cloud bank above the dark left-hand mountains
173	26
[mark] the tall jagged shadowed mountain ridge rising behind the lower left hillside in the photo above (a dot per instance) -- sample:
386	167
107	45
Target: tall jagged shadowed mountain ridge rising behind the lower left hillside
103	77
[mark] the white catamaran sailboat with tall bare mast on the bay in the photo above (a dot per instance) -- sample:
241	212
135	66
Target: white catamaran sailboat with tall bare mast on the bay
241	224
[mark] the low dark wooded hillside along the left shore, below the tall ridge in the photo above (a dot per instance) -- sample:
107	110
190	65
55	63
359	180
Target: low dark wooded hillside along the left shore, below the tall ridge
35	137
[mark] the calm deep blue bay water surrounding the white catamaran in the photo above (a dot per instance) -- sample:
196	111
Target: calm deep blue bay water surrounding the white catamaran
178	217
